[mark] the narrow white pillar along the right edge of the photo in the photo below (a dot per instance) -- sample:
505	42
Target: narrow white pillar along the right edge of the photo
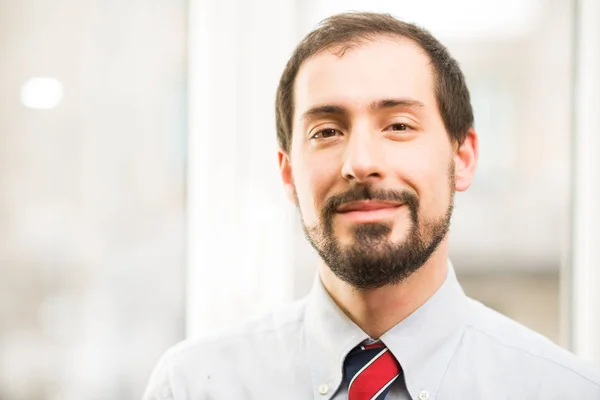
585	279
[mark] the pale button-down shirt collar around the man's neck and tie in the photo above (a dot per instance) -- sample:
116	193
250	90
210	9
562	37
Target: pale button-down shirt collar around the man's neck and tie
423	343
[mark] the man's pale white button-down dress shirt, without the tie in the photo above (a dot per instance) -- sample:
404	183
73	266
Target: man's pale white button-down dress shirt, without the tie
452	347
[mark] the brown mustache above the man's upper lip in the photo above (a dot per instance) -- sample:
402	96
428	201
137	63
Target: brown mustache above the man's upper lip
359	193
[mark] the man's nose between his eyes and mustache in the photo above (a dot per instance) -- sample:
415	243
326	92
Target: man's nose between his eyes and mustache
363	161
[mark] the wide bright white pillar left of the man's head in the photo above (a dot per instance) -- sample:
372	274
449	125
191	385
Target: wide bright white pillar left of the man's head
240	224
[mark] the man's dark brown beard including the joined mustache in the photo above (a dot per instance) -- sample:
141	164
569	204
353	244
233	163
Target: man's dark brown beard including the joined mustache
372	260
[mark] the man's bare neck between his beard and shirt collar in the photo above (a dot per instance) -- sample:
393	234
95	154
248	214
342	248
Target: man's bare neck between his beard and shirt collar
376	311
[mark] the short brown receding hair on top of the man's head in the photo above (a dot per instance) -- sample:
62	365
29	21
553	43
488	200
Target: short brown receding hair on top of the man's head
351	29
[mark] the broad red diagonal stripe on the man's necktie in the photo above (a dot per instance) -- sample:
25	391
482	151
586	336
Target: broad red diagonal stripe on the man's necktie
370	381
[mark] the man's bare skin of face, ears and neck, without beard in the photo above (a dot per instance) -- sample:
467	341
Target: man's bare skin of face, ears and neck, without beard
362	139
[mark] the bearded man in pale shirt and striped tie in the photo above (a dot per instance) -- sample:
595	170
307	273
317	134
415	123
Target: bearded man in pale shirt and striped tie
376	134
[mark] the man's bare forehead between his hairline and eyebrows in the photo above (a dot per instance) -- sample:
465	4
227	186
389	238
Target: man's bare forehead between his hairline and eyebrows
380	69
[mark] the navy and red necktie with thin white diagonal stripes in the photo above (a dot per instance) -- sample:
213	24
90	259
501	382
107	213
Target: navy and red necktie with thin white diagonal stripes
370	371
